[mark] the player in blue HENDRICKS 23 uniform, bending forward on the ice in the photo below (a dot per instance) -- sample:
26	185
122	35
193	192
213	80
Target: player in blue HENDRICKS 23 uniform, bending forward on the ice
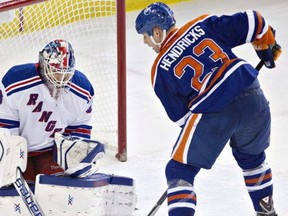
214	96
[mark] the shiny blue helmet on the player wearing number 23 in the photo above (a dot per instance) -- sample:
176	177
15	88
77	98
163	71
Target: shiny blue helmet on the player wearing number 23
156	14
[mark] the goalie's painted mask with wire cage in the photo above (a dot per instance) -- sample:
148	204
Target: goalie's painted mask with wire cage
57	64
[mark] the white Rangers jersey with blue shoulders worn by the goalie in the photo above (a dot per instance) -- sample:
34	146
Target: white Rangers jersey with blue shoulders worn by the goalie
28	110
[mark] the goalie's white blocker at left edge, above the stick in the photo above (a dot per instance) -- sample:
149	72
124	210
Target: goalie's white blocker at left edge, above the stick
13	154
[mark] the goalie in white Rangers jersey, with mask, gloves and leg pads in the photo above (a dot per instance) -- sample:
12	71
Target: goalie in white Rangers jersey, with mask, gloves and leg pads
45	141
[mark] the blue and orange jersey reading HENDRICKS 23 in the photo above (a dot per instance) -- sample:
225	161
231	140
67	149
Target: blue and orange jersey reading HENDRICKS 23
196	70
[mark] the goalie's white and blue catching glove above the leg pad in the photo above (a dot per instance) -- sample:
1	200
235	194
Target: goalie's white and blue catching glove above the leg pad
77	156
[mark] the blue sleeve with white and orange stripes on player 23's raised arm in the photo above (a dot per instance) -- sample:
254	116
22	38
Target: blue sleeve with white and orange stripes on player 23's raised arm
239	28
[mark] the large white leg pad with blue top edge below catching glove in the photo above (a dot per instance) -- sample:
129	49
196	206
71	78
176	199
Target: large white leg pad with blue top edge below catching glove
97	195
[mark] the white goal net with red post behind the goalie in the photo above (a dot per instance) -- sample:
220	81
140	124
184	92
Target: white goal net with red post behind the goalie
96	30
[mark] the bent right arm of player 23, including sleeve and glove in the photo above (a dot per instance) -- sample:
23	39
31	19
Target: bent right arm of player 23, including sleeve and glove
247	27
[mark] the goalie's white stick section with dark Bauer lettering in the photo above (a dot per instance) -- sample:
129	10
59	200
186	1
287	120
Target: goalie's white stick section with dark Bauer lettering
27	195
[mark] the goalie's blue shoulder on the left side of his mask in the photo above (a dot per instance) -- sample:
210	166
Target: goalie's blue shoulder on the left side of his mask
21	74
